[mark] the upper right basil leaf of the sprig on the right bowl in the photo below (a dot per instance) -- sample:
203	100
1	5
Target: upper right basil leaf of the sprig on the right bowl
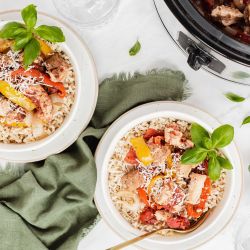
222	136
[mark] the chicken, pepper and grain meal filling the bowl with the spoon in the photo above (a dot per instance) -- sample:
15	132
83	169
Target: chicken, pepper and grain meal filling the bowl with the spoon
150	186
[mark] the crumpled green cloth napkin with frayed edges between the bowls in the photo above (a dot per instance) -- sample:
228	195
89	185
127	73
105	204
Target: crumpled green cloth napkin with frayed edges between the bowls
49	204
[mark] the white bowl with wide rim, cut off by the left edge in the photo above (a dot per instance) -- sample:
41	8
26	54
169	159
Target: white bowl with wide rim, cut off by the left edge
84	104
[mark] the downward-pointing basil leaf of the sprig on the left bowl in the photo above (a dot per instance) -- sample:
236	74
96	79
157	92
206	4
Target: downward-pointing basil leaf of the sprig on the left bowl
31	52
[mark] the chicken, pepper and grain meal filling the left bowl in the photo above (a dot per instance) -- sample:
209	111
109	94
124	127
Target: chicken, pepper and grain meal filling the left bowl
34	101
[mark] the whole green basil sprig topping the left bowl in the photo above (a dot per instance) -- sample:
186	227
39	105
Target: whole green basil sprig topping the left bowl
26	34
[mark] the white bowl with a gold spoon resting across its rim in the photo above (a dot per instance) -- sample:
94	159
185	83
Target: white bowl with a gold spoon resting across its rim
219	217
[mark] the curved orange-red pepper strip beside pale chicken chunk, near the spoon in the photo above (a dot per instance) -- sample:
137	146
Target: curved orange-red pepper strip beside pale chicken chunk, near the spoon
195	211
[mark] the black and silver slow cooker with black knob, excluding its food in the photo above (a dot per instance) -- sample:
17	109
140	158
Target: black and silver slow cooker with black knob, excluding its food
205	45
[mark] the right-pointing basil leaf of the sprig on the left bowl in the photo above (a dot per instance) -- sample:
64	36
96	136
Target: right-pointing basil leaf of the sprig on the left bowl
50	33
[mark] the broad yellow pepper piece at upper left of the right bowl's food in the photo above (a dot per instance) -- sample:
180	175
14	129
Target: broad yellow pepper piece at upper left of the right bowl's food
142	150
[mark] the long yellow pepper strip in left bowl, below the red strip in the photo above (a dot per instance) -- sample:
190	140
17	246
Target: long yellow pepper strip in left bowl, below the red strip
16	96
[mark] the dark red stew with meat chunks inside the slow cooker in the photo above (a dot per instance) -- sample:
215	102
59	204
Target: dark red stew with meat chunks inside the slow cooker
232	16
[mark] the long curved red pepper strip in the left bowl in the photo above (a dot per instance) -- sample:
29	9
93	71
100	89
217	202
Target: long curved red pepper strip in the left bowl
41	77
